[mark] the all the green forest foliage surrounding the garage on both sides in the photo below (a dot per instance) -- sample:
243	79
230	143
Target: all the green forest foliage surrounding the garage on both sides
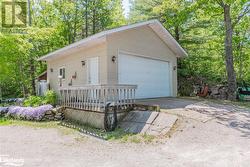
198	25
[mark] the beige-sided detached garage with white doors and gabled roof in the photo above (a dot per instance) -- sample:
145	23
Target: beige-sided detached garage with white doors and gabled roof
143	54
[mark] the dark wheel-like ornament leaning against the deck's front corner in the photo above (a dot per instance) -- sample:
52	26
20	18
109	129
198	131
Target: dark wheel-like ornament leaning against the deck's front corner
110	118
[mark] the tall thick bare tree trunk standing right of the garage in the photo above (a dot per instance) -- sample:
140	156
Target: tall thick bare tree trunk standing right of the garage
231	77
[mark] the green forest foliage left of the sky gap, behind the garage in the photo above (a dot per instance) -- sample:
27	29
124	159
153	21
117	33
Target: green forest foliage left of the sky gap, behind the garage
52	25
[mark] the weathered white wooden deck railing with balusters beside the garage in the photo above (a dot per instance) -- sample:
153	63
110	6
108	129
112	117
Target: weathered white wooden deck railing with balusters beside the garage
95	97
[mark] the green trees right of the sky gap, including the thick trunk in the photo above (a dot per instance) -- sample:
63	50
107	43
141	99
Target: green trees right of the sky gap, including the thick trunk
201	27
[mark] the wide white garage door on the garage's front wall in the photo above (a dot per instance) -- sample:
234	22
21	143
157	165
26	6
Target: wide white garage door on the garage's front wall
151	76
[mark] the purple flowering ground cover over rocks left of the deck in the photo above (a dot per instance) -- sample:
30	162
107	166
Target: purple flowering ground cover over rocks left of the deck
30	113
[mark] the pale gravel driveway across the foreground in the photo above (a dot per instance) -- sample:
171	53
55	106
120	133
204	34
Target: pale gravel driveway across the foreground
223	141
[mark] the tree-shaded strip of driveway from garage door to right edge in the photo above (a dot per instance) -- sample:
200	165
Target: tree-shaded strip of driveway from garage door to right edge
232	116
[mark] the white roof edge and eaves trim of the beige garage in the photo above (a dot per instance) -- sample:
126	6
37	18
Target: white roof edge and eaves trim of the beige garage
180	53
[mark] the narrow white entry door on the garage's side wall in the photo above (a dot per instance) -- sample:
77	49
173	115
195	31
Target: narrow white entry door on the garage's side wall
93	71
